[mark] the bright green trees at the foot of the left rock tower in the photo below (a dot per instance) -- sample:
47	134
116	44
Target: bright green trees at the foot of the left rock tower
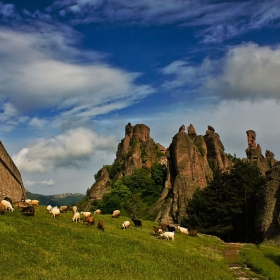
134	194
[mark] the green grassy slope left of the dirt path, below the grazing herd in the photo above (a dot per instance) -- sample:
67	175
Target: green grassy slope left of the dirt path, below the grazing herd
42	247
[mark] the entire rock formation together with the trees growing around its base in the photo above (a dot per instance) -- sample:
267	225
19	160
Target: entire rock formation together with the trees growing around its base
193	182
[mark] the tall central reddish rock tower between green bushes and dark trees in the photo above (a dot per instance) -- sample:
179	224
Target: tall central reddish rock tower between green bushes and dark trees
188	170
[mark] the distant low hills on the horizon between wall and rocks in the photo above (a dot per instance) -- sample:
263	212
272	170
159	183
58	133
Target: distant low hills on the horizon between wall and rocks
57	199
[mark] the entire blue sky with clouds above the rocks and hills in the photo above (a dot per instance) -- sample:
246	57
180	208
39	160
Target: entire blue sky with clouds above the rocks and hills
73	73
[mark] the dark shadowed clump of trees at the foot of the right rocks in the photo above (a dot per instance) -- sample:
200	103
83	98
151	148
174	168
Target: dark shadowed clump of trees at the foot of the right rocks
227	206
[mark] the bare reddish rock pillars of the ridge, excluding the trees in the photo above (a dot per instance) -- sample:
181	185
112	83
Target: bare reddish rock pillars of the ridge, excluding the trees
190	160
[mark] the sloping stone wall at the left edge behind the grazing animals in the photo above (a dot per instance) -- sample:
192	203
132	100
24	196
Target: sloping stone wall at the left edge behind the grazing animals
10	178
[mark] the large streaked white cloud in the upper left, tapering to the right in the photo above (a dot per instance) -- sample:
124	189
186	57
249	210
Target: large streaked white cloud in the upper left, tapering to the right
48	80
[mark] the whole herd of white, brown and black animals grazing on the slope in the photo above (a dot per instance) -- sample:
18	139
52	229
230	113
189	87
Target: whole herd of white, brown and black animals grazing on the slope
27	208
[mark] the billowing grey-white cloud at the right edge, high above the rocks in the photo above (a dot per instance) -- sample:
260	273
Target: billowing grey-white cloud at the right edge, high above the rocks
248	71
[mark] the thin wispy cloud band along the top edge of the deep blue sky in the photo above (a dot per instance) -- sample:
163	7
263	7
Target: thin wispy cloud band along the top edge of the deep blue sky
219	20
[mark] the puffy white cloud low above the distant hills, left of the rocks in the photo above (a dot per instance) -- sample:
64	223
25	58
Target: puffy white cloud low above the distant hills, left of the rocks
72	150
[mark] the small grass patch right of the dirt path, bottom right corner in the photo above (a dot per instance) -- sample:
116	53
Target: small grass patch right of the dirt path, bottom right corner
264	259
